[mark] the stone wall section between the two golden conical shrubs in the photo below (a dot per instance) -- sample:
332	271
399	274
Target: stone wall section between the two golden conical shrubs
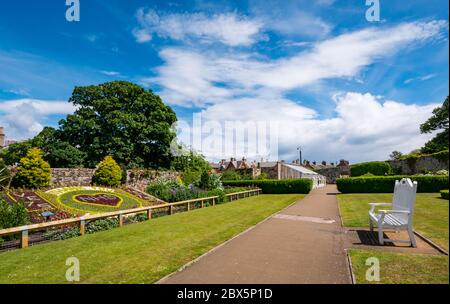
65	177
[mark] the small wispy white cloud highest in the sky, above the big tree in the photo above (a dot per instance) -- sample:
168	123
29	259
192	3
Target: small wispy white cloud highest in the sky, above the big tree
228	28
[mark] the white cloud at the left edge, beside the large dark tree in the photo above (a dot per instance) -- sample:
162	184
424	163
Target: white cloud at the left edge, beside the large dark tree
24	118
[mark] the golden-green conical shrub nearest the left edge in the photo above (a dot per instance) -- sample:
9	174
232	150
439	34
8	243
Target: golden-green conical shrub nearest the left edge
33	172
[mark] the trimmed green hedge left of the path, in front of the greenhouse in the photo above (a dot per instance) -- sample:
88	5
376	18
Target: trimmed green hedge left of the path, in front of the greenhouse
269	186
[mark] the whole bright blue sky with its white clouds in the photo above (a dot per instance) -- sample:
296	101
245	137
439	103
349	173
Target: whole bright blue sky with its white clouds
342	87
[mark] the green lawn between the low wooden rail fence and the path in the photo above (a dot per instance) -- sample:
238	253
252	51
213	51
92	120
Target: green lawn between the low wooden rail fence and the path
140	253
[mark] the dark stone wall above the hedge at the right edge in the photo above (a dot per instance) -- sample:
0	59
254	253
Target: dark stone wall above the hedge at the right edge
421	164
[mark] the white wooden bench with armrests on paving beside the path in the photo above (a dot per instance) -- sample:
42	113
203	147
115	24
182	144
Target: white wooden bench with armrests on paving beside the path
400	216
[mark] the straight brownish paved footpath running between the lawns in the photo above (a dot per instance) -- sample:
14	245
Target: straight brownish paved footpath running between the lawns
300	244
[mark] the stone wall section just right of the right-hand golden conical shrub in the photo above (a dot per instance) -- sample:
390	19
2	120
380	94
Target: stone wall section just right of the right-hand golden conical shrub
140	178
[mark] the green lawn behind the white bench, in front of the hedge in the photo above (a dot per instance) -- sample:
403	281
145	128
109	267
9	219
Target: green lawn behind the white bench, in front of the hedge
430	214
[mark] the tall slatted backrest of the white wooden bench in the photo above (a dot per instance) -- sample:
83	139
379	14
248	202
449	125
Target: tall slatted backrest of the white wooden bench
404	195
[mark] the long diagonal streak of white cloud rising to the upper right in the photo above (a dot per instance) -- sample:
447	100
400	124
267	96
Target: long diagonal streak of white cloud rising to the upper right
191	77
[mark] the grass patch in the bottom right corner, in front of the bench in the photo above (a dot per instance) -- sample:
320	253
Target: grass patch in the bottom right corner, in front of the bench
398	268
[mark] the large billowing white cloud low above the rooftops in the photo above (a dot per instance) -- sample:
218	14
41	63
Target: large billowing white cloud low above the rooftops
365	127
